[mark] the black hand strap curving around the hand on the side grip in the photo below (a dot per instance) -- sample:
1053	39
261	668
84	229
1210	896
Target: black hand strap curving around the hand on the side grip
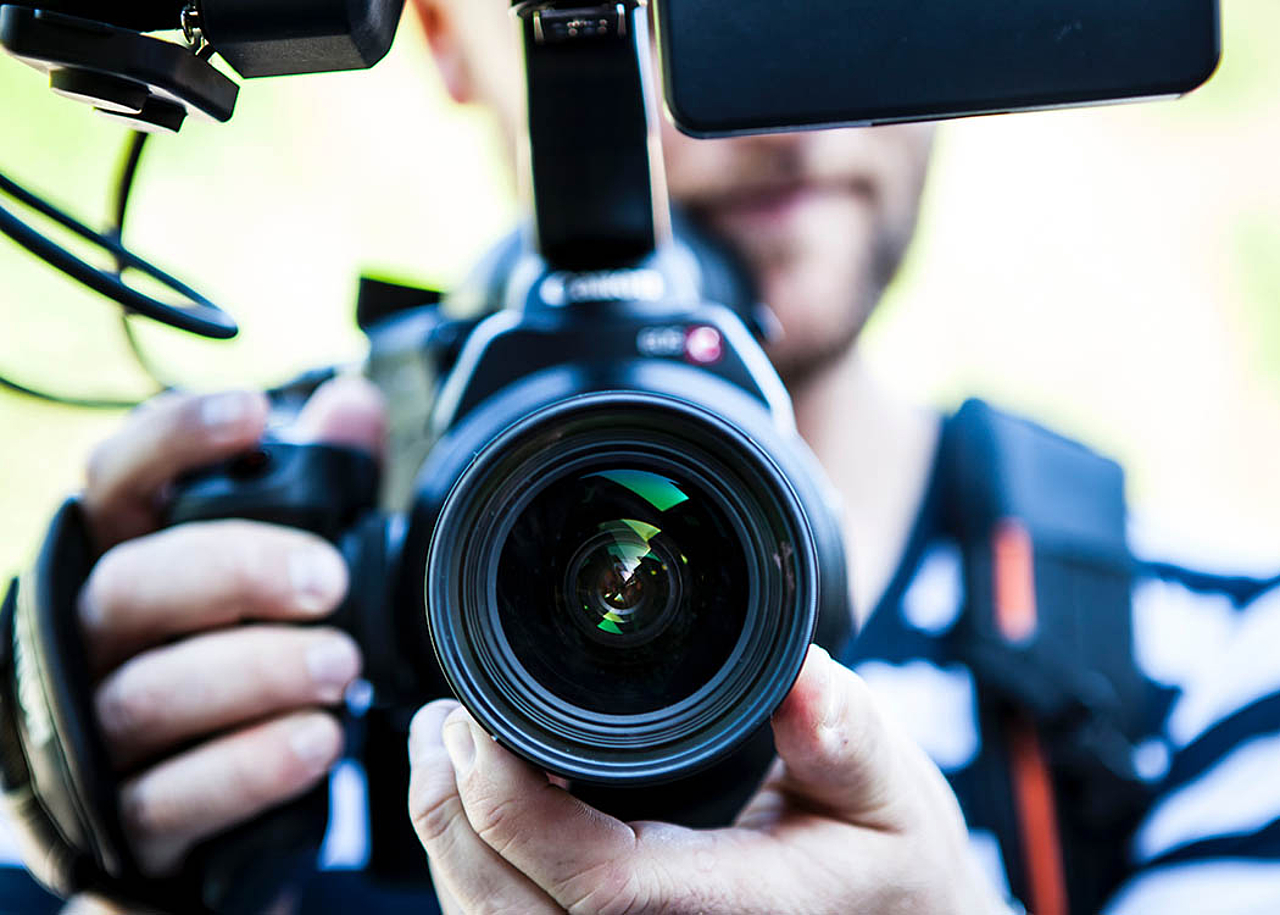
58	788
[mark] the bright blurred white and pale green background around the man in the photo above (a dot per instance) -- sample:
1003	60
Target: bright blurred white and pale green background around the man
1114	272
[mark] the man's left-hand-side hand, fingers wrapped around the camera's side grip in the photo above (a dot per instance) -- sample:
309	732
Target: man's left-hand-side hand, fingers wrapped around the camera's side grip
212	699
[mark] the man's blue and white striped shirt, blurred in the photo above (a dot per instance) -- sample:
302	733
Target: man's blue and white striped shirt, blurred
1210	841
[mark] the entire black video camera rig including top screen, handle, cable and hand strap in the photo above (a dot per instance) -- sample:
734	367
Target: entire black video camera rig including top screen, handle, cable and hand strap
619	543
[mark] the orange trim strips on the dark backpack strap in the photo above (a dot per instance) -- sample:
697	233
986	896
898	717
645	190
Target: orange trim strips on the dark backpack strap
1014	569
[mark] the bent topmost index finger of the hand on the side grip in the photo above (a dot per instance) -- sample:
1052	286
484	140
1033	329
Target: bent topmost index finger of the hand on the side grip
166	437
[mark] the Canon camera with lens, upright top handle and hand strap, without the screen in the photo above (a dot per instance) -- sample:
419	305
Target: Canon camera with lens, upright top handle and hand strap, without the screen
618	550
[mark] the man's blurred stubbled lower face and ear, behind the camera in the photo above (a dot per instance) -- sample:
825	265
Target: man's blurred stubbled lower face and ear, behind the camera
821	219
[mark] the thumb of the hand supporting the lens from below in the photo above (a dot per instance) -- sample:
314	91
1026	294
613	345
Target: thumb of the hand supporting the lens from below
842	754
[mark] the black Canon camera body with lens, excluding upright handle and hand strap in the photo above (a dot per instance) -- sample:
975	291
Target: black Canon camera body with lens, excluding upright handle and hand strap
619	542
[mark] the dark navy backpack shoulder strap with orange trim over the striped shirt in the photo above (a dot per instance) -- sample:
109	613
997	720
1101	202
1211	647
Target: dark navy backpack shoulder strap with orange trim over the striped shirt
1048	633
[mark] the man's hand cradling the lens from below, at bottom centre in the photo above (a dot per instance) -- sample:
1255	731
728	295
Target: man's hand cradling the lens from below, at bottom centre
853	820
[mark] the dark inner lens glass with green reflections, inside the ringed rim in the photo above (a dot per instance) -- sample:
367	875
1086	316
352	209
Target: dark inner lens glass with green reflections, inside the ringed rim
624	591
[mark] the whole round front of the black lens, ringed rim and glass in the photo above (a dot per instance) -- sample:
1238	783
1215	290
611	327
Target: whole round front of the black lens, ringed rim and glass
621	588
